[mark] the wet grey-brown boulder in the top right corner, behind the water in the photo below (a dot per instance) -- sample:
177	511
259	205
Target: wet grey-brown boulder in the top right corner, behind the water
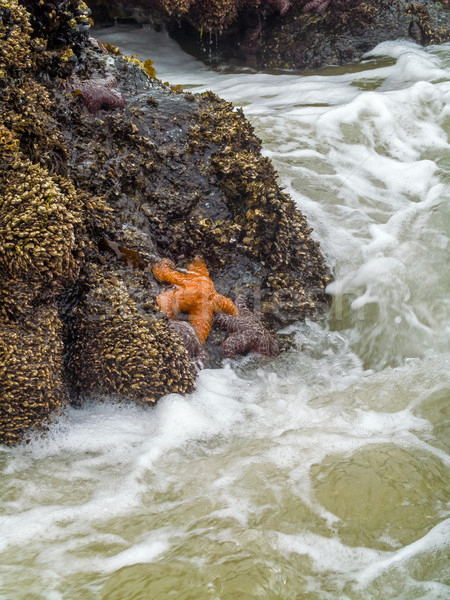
343	30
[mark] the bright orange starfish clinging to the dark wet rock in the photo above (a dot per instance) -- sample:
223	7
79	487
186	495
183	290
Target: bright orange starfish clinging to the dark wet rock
194	293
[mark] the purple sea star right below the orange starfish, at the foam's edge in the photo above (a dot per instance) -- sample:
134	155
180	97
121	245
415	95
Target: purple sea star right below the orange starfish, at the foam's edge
247	333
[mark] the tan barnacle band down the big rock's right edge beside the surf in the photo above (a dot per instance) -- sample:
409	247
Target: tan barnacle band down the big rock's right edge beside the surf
265	227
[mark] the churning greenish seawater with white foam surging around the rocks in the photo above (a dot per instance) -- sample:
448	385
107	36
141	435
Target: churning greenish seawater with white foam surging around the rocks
325	473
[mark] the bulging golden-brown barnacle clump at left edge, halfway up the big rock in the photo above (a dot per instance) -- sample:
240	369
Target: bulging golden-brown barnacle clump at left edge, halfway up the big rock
44	227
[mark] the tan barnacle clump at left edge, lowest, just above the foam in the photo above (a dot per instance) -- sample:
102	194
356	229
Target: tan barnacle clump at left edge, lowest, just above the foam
31	369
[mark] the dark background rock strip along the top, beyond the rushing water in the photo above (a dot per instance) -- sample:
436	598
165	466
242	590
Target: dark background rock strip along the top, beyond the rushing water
287	34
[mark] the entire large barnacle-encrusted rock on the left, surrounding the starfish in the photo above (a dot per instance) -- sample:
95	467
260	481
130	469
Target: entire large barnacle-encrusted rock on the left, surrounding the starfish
91	190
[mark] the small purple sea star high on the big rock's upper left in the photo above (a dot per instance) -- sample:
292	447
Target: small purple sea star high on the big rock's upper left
97	92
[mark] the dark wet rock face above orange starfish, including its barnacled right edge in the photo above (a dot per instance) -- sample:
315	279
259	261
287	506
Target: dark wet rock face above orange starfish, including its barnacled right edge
184	175
